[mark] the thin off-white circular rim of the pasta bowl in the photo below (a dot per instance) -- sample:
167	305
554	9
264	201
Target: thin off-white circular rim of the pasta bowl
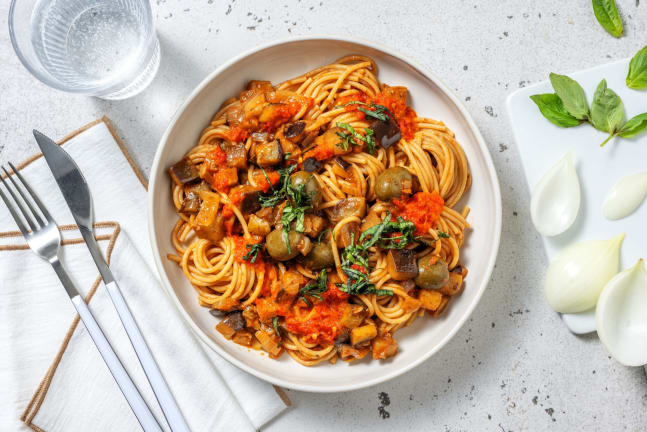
473	129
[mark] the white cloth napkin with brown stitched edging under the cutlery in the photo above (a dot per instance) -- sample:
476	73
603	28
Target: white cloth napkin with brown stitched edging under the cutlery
78	393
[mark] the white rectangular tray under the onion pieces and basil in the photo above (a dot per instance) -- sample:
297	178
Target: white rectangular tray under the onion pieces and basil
541	144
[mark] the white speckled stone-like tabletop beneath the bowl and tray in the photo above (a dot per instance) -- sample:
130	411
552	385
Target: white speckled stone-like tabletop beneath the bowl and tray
514	366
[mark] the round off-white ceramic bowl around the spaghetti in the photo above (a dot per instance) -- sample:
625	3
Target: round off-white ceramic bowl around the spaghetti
279	61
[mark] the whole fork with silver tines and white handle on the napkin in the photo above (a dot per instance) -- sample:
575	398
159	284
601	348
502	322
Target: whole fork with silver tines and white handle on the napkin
41	233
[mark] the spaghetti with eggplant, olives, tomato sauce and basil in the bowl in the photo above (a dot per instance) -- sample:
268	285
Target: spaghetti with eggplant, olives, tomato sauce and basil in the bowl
317	216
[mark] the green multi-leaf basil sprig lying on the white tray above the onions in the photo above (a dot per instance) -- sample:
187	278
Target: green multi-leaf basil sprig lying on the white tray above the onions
568	107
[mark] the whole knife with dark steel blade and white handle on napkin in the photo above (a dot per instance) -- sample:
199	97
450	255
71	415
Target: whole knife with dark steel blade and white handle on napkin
76	192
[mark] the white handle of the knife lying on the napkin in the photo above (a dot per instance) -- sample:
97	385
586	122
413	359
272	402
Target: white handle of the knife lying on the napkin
160	388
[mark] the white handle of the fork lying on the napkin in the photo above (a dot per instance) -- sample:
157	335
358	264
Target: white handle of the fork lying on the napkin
125	383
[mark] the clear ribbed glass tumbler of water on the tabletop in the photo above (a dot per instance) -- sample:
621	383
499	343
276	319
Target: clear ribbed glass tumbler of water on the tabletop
104	48
